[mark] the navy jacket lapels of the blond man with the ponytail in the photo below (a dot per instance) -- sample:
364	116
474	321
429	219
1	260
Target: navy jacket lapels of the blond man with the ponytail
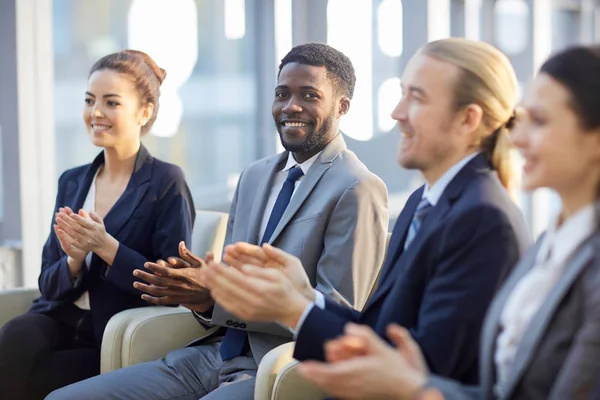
436	216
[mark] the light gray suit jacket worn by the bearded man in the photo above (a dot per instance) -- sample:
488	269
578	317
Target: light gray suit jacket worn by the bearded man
336	224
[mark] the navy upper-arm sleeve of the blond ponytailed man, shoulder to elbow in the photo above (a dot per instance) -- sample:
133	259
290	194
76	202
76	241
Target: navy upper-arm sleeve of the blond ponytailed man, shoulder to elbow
475	254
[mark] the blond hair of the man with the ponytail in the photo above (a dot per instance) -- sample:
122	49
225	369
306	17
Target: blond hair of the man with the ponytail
488	80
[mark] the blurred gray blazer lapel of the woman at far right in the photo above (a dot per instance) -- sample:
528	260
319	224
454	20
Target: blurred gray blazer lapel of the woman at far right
540	321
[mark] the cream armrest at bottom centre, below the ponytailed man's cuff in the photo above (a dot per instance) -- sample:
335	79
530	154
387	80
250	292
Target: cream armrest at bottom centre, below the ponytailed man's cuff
277	378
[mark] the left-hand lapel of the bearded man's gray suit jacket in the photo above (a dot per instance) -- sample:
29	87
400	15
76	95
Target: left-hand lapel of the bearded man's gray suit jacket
263	191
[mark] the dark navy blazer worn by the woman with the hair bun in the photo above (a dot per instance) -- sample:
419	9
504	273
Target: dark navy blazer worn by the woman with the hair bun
154	213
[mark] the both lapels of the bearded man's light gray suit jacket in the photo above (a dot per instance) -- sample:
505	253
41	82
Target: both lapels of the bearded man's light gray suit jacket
314	174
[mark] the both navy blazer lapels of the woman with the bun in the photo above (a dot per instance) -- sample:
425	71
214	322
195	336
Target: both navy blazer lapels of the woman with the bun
79	186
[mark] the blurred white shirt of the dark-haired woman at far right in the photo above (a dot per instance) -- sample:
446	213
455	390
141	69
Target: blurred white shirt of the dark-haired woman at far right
557	246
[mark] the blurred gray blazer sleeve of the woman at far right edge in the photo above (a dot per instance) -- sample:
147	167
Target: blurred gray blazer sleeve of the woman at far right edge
580	371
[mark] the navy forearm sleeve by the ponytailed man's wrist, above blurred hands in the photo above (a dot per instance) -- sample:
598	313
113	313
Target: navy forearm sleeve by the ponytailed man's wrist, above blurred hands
319	326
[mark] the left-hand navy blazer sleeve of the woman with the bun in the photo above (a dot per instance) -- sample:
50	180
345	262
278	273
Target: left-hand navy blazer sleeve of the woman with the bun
54	281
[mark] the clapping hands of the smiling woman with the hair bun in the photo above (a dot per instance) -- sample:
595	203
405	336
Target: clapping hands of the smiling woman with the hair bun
79	234
